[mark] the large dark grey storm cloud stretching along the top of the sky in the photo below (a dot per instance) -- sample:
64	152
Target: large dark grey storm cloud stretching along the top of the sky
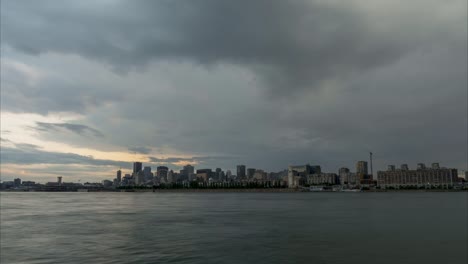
290	45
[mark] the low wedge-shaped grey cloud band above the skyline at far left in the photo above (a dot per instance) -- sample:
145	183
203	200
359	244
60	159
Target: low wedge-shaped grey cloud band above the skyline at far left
24	154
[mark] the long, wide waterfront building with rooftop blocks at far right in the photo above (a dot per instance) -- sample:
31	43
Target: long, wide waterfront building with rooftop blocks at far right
421	177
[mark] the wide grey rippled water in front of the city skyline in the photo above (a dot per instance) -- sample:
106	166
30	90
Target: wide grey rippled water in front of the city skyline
234	228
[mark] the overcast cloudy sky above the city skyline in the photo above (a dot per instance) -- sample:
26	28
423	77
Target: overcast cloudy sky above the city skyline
88	86
